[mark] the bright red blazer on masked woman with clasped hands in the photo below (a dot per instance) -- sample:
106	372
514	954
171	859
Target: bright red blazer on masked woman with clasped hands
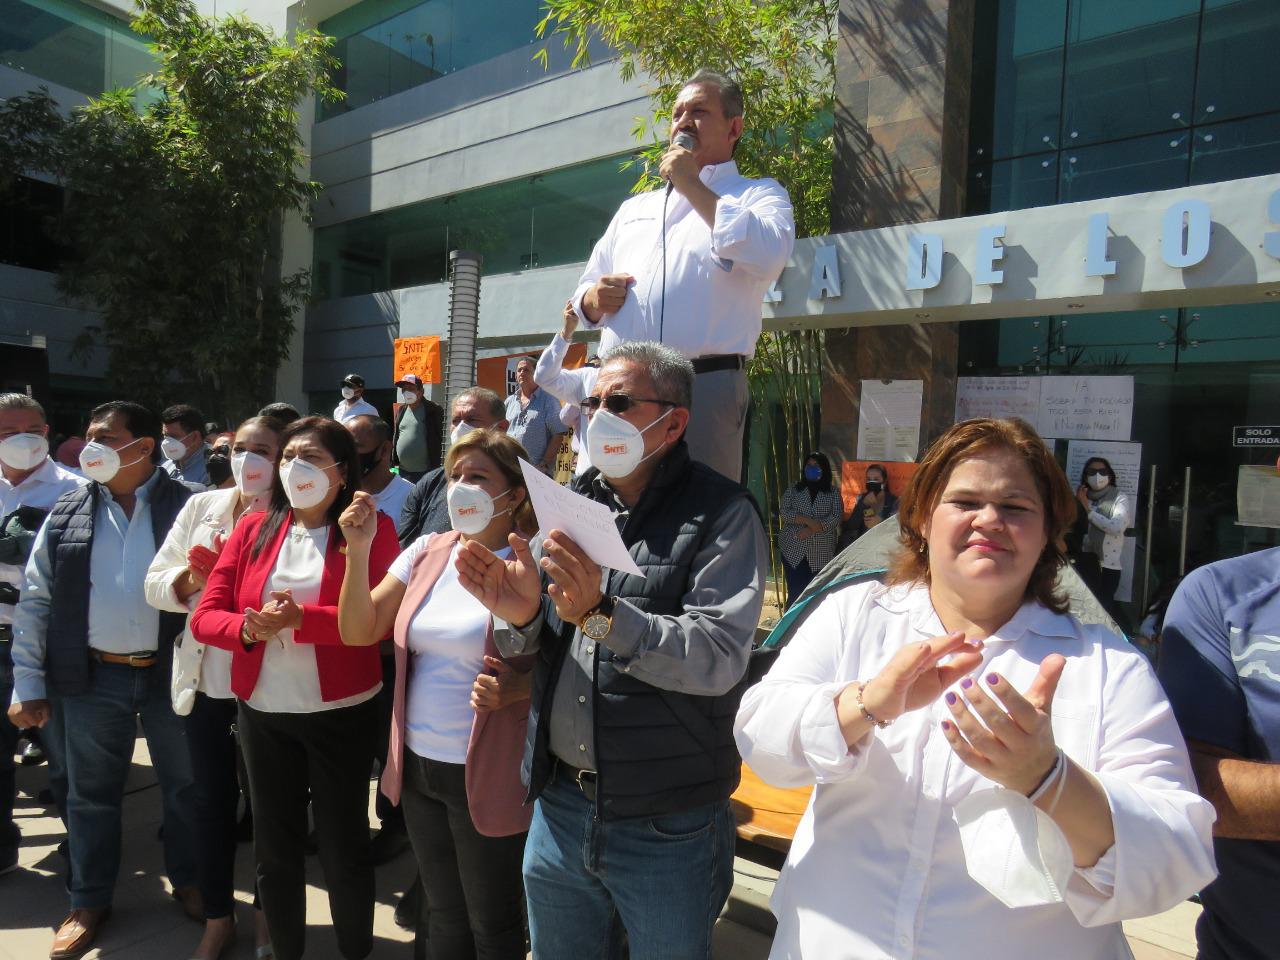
237	582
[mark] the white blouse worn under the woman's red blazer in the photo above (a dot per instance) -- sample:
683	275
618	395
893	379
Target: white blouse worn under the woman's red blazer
290	682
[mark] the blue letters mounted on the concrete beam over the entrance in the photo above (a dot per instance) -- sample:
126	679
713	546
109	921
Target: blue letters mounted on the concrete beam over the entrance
1186	239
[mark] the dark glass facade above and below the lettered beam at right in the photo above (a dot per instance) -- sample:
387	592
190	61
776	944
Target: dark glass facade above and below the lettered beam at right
1085	99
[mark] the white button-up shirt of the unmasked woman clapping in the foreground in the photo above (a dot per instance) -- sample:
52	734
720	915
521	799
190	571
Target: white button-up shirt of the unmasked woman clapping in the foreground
877	867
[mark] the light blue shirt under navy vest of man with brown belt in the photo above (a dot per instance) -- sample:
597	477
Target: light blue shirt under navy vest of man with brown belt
120	619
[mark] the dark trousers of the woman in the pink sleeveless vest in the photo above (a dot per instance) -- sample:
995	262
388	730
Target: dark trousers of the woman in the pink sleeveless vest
474	885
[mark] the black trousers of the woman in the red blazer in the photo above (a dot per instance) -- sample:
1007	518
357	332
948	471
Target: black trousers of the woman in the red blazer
326	758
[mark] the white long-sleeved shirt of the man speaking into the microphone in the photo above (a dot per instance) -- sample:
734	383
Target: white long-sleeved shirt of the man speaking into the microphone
716	276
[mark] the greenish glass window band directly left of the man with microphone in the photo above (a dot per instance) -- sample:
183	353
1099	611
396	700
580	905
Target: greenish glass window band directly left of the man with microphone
546	221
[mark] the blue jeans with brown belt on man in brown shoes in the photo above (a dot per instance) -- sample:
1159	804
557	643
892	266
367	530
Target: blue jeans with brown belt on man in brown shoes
102	726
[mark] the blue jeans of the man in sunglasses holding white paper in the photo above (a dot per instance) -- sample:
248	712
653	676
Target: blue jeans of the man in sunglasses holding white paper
664	880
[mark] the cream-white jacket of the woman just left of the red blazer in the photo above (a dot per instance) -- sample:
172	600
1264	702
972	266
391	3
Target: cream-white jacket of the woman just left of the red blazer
204	519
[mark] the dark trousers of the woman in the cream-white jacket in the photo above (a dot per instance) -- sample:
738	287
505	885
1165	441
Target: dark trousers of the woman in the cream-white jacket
212	744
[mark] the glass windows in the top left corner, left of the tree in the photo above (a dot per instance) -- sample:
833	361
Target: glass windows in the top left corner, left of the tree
72	44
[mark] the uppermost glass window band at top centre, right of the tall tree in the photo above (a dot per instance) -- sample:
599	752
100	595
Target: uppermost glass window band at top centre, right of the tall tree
386	47
